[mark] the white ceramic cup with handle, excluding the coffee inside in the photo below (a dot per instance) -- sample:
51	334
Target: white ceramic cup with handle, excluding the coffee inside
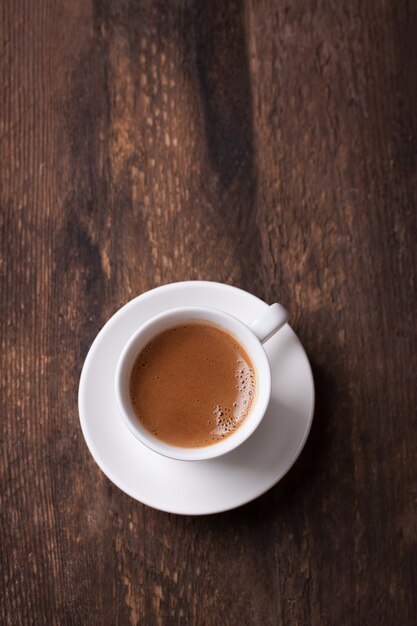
251	337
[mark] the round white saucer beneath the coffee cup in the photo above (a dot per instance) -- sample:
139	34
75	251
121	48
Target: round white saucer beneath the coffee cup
198	487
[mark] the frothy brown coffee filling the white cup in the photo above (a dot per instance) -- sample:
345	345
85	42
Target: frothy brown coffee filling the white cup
192	385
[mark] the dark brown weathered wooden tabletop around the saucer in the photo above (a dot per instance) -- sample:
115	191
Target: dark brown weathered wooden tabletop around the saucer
269	145
